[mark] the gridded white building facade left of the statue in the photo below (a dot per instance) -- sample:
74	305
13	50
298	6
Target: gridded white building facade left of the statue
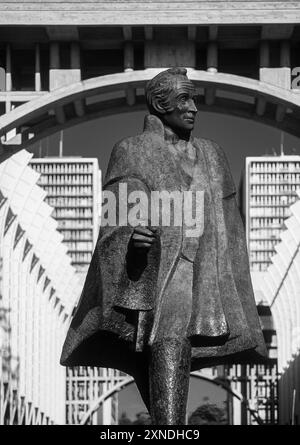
73	187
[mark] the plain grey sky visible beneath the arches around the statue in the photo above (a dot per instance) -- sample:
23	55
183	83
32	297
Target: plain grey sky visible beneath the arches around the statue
238	137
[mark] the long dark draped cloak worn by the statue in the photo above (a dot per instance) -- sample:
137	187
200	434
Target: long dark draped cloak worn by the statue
121	312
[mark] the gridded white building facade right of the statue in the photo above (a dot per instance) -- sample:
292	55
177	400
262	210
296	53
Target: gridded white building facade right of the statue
271	185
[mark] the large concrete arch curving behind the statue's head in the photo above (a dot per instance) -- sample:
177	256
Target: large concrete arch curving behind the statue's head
124	92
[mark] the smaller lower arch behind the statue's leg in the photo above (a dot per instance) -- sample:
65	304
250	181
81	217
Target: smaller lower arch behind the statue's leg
126	381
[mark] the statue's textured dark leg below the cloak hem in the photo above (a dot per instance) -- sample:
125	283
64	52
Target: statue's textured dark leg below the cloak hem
169	375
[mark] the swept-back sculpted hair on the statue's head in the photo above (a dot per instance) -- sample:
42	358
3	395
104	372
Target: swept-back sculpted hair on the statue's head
159	88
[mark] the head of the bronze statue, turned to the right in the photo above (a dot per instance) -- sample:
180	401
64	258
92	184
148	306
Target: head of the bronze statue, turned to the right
170	96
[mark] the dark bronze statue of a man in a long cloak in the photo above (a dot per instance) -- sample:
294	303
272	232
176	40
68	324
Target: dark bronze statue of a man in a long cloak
160	301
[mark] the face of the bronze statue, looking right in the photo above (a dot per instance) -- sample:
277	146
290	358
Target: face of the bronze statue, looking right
182	118
